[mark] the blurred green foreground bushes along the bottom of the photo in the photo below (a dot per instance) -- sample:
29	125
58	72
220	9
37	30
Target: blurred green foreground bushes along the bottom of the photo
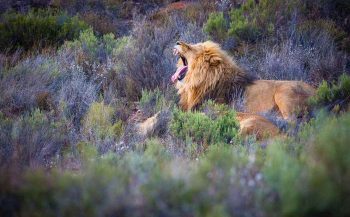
290	177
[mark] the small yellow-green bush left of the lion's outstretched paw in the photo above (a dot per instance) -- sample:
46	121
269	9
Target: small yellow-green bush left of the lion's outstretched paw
98	122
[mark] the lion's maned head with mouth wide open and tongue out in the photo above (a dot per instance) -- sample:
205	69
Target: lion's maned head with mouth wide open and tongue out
205	71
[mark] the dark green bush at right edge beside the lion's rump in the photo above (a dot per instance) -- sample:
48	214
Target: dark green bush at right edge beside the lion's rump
336	95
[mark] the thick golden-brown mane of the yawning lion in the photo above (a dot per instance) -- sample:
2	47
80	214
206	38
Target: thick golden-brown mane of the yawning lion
212	74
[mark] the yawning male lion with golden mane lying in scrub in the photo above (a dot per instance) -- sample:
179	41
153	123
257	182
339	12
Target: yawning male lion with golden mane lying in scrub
208	72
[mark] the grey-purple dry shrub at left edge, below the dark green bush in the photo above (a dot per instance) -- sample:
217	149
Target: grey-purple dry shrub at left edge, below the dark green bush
21	85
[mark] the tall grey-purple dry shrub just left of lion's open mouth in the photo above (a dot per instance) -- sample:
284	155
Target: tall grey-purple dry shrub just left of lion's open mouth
150	47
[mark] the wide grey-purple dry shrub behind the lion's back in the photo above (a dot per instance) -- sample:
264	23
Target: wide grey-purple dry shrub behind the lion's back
310	57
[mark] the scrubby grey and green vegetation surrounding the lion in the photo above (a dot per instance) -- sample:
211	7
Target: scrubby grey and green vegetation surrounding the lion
76	80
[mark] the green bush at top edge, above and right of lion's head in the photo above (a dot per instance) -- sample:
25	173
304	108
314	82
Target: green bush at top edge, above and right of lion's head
252	20
